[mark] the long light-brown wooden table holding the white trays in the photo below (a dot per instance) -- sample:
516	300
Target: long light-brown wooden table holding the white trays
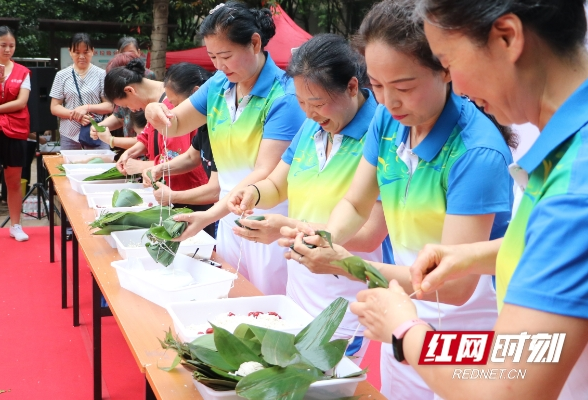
140	320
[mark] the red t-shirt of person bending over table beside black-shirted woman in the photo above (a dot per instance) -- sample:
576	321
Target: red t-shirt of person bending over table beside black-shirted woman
175	146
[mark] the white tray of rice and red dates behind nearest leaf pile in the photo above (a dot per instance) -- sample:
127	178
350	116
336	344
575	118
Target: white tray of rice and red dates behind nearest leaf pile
200	312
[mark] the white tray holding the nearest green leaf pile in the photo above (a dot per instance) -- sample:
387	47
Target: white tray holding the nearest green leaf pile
322	390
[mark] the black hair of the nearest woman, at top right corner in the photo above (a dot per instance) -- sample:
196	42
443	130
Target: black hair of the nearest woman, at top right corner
560	23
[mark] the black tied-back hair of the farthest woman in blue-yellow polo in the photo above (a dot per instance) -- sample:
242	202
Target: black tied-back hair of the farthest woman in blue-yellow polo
238	23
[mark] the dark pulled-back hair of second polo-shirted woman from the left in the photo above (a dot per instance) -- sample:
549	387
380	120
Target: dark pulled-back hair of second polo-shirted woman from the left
328	61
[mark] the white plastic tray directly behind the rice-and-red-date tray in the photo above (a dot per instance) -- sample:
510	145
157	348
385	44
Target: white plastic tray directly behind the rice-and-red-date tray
137	276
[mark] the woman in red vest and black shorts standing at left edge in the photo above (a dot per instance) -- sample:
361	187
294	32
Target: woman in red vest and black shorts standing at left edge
15	87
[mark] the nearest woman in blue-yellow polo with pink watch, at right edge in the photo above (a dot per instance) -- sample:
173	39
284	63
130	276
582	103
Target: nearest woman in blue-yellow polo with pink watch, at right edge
522	61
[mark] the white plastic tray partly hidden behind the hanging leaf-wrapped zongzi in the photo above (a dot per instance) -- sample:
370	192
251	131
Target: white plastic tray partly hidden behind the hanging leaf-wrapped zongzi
131	244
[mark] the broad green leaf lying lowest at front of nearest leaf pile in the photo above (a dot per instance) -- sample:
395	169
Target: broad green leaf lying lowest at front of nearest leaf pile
290	383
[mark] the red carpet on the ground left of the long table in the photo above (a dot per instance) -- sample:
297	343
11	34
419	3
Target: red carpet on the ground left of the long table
43	355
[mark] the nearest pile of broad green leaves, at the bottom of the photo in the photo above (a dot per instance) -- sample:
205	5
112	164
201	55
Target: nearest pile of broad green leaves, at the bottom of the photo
261	363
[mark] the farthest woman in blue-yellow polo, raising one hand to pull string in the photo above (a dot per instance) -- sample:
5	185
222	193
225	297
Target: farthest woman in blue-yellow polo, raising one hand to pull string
252	115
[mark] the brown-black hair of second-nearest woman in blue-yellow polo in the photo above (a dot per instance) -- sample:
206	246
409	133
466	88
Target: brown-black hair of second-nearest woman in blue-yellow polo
392	22
